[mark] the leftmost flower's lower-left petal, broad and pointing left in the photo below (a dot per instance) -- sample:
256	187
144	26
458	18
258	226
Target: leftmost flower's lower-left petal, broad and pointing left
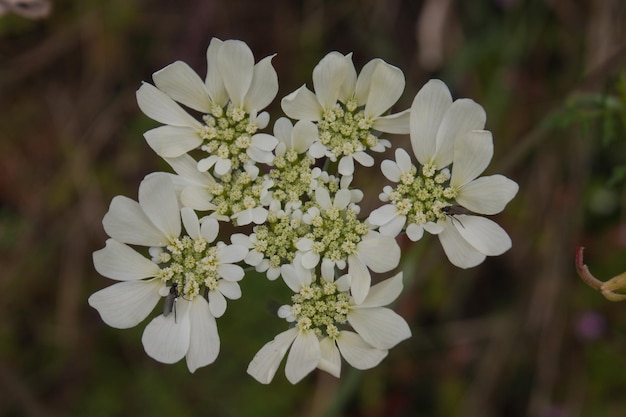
126	304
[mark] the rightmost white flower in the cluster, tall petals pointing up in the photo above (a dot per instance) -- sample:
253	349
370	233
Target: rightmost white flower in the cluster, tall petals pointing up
442	195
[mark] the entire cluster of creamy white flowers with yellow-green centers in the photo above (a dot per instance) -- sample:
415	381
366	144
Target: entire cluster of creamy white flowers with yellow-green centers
291	189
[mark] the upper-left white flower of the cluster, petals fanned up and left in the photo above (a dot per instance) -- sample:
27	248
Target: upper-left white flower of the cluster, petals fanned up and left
232	95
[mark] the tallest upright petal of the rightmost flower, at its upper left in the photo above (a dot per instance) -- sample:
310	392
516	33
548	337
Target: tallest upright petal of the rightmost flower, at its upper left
427	111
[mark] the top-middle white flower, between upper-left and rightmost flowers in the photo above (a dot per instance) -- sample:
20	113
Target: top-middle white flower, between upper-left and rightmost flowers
349	109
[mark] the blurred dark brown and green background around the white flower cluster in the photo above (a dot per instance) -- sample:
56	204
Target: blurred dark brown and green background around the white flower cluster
520	335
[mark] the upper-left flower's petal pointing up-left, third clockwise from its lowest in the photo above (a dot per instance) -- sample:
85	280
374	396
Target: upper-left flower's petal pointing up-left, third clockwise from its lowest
181	83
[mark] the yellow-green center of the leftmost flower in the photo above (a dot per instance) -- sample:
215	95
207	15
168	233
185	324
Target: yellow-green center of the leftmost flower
189	263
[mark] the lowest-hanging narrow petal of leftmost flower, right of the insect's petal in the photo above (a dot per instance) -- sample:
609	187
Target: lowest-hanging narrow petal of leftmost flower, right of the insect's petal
204	342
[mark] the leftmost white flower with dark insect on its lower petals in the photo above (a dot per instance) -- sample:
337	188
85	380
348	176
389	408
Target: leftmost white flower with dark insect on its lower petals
187	267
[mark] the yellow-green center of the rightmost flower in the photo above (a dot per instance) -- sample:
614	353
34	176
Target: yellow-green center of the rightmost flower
422	198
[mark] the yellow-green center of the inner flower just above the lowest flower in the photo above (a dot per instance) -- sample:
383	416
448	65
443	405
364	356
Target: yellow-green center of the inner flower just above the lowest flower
336	233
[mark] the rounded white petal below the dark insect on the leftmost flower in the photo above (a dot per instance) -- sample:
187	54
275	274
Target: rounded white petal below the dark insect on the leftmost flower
166	339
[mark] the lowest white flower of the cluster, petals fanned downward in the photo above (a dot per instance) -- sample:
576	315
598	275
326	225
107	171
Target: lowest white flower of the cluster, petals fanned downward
373	329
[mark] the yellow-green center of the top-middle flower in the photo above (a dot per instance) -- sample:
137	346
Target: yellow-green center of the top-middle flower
344	129
